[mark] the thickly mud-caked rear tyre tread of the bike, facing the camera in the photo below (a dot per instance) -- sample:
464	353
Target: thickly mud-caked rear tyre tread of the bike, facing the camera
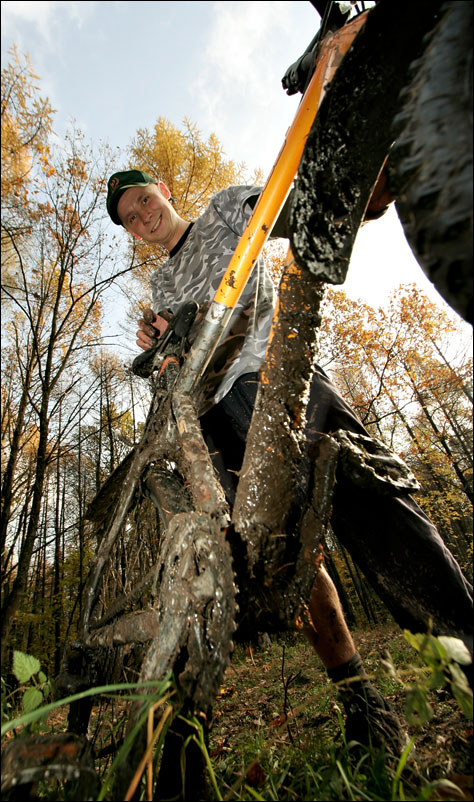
195	614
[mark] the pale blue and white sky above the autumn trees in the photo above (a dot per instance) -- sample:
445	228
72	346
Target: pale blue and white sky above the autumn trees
114	67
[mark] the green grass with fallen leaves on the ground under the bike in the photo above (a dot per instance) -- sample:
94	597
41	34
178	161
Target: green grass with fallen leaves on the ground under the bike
277	731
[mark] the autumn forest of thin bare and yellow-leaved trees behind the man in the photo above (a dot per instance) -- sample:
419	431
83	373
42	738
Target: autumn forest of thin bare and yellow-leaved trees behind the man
72	409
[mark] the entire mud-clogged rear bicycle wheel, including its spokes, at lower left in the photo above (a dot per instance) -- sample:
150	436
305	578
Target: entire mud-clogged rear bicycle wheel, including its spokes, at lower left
162	588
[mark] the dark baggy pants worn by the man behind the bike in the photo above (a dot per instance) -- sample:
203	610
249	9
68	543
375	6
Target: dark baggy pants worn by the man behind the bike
391	539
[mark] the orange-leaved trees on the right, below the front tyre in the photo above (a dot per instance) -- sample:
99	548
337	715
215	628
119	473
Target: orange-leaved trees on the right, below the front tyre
405	371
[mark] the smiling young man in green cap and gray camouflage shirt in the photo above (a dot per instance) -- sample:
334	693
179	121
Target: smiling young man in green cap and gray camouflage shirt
426	587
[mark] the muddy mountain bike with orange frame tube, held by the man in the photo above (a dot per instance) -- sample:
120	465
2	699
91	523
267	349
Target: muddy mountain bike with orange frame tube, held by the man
174	612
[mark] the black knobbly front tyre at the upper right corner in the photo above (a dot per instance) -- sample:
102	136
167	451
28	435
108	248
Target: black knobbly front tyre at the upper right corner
431	161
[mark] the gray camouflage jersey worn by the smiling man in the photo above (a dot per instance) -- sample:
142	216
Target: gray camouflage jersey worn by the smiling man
195	272
